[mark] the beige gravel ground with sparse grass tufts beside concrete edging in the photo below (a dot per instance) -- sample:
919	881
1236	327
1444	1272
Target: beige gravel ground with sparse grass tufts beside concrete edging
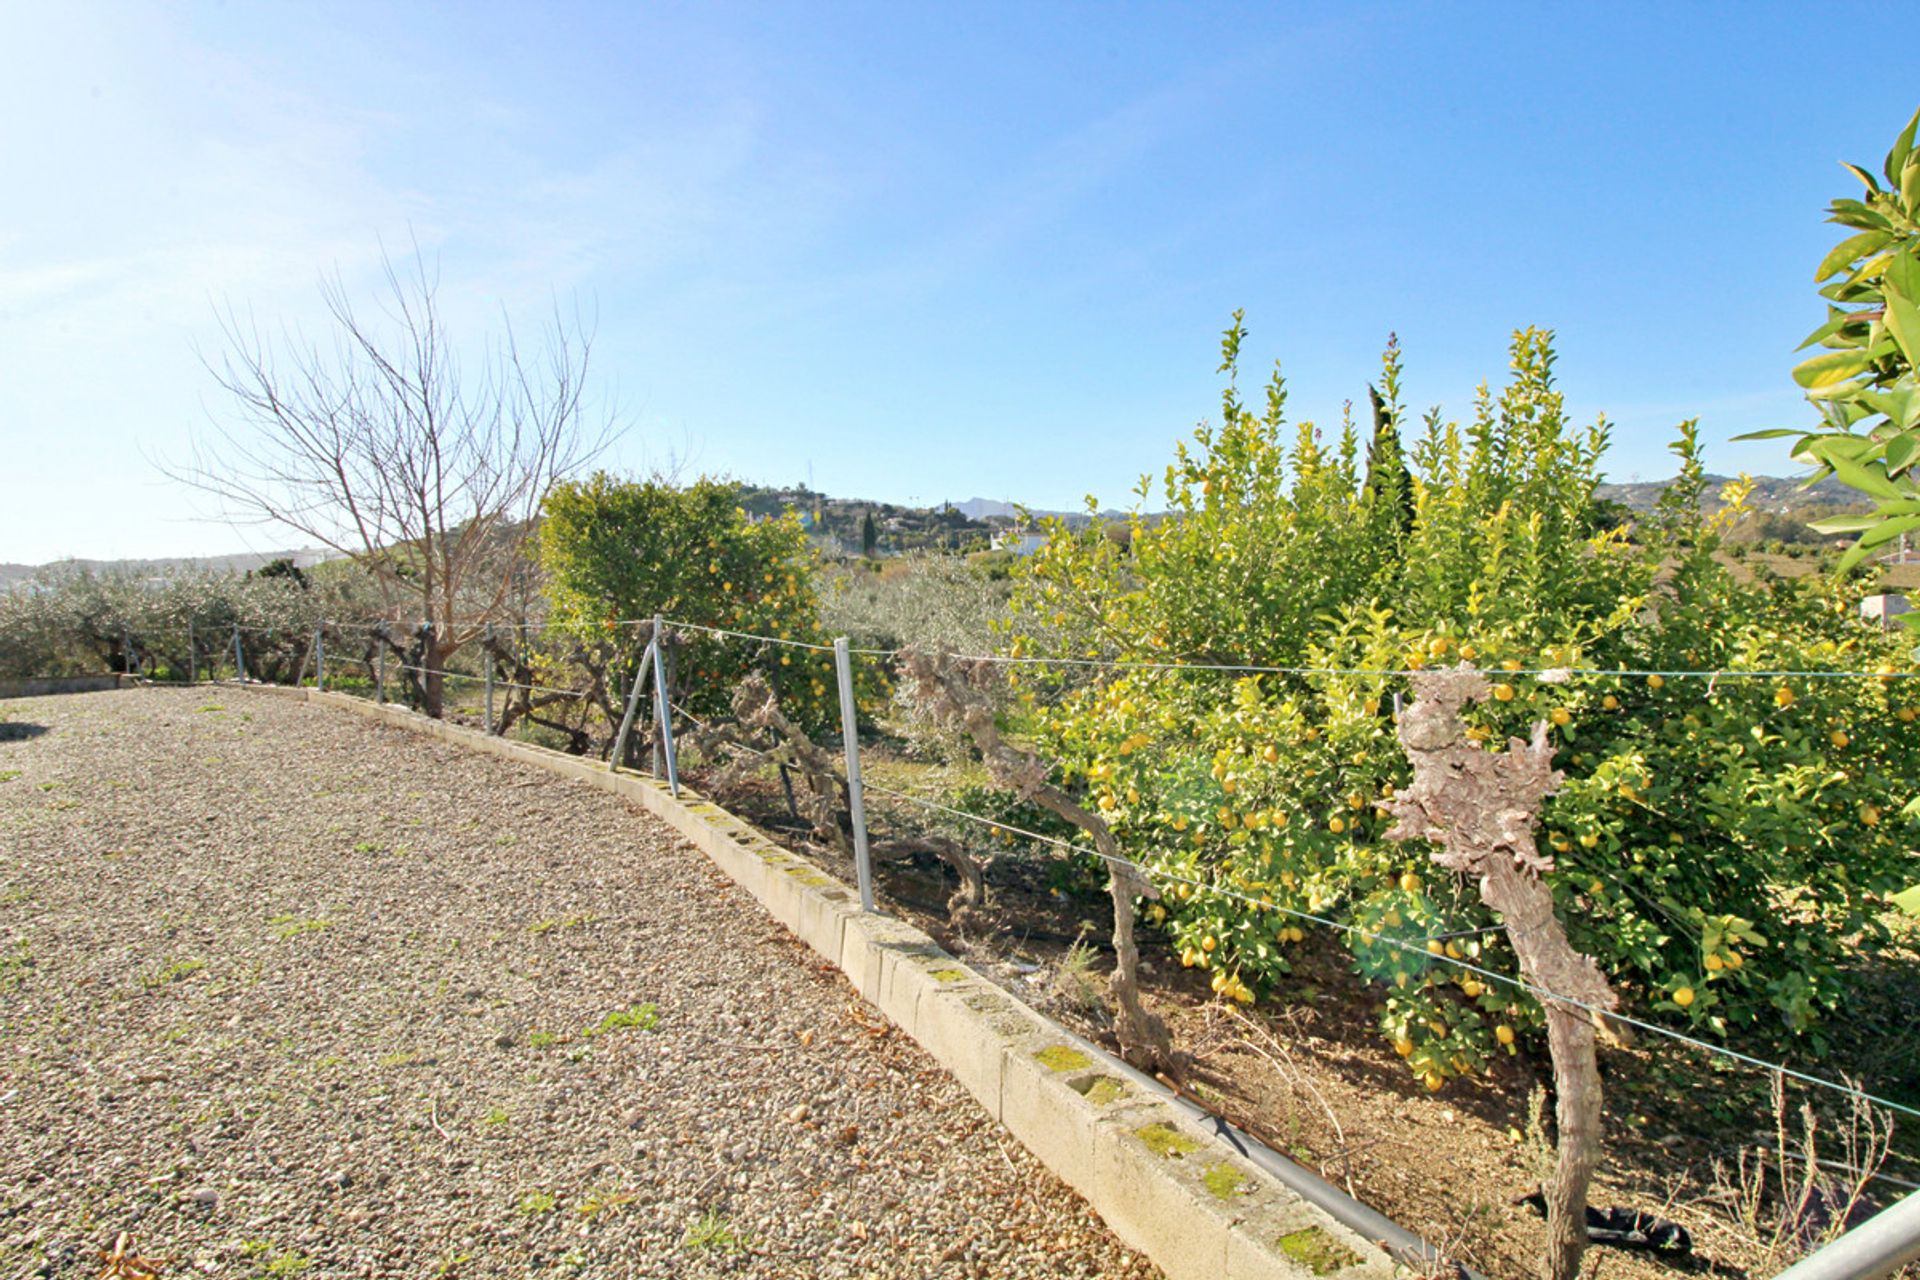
291	993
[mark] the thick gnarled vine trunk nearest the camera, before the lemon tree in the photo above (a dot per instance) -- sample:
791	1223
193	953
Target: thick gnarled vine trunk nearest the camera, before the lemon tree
1479	809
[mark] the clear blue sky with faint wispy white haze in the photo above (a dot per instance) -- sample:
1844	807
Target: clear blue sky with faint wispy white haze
919	252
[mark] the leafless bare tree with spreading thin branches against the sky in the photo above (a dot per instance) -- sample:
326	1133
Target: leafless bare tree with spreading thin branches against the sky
387	446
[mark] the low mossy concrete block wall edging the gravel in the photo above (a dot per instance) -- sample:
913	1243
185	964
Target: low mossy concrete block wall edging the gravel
1166	1185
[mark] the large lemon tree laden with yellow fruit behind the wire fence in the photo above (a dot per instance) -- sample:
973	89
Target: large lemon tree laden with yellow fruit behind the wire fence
1719	847
